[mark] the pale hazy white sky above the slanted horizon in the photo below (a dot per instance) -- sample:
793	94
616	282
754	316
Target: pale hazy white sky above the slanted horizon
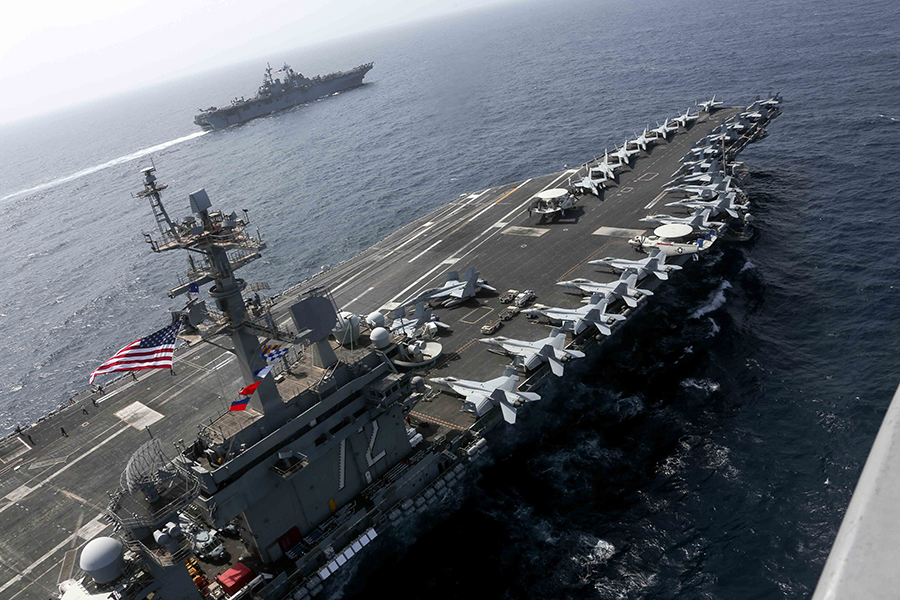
59	52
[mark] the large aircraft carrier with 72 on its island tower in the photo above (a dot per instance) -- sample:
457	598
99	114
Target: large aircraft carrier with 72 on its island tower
354	430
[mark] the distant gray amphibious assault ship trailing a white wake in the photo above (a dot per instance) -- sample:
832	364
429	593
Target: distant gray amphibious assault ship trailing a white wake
279	93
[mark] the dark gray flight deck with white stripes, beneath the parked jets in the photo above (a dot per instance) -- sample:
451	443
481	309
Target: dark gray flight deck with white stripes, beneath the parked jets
55	475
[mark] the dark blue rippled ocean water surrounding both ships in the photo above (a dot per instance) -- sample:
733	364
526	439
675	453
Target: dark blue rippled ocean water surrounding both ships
710	454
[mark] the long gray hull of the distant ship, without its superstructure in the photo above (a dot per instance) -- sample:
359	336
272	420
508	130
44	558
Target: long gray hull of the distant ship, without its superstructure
241	112
